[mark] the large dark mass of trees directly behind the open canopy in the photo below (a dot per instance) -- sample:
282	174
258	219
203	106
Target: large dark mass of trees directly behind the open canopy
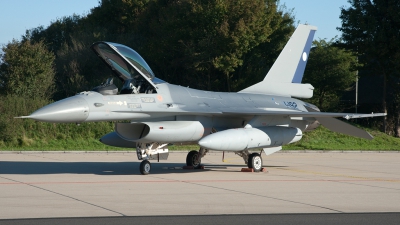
212	45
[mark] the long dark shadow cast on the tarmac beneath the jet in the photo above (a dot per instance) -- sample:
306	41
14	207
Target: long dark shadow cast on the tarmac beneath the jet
102	168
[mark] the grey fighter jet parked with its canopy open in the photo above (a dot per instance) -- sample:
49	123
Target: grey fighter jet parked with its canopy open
264	116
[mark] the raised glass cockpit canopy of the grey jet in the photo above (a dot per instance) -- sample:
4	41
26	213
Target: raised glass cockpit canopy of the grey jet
128	66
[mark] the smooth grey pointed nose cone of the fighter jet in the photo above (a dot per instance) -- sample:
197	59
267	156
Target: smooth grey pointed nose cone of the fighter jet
70	110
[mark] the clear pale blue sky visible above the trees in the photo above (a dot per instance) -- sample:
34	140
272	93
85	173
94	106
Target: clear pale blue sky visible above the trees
17	16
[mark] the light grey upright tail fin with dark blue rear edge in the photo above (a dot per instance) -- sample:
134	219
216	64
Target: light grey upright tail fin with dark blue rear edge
284	77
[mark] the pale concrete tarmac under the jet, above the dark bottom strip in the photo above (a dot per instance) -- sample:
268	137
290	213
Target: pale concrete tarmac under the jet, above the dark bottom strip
54	185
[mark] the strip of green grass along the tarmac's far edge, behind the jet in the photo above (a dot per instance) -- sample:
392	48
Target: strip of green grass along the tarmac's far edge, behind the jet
319	139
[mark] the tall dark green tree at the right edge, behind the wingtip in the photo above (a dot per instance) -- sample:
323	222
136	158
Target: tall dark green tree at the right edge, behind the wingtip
372	30
